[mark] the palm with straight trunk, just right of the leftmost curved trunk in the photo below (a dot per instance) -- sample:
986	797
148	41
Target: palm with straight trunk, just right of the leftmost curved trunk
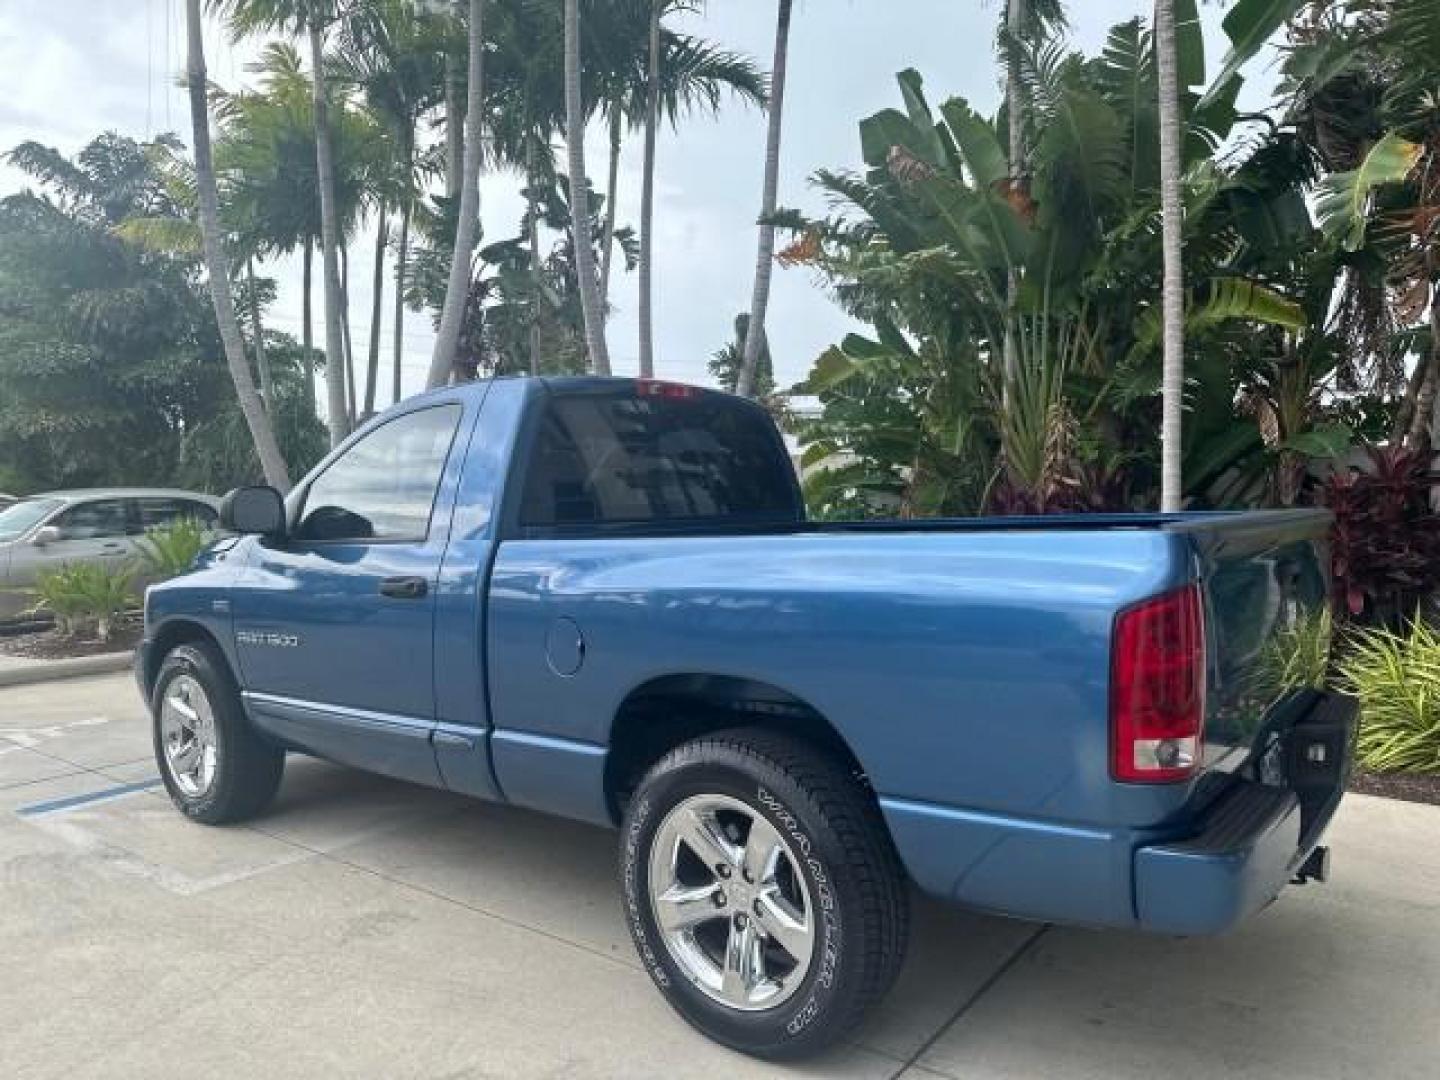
312	19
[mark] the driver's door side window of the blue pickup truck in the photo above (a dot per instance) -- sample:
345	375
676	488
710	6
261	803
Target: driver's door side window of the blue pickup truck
384	487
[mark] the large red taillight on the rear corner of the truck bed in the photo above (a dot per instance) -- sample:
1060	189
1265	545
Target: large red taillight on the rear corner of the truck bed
1158	689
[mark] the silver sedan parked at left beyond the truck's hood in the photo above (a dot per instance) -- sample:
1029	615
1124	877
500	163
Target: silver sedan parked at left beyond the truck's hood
102	525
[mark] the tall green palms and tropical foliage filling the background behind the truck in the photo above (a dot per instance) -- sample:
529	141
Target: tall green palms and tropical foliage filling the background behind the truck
1007	269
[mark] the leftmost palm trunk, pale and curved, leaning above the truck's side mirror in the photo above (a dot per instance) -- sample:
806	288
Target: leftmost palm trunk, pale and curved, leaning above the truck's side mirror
267	449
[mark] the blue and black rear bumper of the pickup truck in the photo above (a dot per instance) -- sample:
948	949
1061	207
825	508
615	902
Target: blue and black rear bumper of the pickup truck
1254	840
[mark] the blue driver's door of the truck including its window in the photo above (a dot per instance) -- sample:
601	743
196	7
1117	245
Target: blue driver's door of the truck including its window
333	626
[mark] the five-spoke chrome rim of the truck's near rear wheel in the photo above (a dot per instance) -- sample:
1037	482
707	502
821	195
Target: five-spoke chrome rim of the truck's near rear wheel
732	904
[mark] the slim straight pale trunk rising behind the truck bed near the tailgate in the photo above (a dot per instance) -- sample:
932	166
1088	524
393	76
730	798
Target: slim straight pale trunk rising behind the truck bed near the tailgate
1173	303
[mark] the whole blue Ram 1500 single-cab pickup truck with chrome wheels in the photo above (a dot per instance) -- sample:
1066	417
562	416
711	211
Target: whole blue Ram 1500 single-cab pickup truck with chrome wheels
601	598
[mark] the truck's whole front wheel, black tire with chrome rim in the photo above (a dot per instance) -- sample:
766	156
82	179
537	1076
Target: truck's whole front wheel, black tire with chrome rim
217	768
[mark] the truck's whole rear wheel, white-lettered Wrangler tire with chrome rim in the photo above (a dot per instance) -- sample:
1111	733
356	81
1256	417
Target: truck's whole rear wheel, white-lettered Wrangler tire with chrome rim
762	892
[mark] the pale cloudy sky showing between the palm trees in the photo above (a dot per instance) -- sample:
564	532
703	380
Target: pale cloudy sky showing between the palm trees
71	70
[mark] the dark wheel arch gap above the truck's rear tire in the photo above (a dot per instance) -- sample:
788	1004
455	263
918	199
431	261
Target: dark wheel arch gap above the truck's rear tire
669	711
